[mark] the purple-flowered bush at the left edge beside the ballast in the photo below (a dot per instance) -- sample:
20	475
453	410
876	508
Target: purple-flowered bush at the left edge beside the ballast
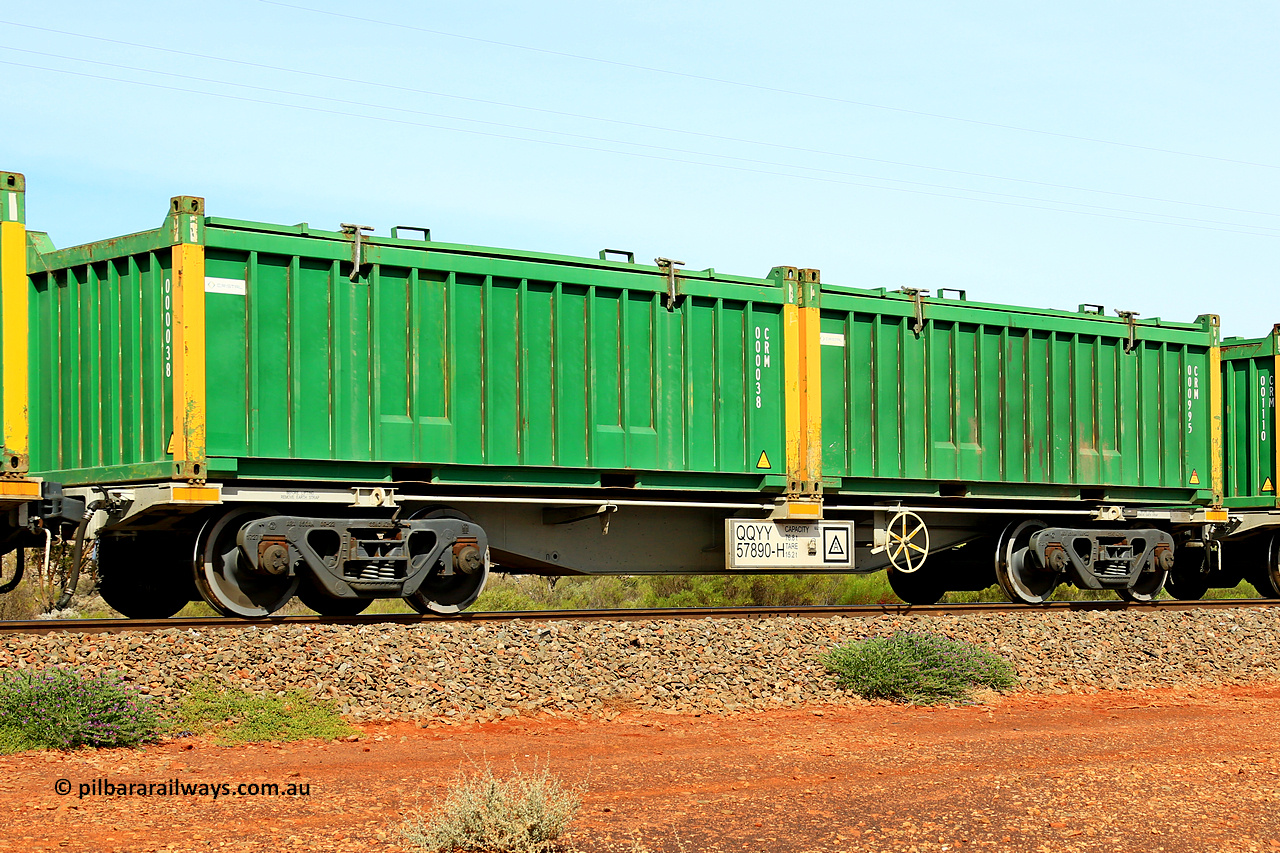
63	710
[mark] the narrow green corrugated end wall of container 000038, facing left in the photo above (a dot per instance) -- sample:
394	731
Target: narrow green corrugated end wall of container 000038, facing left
100	402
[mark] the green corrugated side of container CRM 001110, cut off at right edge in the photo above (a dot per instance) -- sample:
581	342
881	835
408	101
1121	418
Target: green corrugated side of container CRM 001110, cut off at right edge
1250	422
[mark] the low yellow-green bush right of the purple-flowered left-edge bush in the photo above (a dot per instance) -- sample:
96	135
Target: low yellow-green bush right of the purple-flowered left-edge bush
239	717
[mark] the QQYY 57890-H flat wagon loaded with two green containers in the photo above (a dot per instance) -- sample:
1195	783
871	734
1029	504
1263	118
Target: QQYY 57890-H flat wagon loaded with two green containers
241	412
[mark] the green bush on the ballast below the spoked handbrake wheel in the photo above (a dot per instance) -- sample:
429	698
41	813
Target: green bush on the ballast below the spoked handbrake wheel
922	669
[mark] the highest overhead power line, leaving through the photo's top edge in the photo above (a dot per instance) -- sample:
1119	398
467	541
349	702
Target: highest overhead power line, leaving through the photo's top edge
769	89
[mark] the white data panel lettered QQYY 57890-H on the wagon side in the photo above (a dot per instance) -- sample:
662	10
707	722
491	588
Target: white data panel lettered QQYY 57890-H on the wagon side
789	545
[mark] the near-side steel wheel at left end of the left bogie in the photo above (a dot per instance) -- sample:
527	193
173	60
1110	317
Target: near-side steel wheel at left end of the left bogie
227	581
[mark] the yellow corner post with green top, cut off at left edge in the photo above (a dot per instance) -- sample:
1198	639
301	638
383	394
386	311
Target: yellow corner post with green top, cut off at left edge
13	316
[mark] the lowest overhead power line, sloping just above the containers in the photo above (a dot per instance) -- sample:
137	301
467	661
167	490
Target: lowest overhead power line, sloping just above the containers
1258	231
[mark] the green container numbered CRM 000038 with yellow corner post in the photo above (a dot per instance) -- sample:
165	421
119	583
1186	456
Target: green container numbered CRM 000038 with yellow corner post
349	357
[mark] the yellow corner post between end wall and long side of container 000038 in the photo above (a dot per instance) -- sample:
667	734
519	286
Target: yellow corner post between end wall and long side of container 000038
188	300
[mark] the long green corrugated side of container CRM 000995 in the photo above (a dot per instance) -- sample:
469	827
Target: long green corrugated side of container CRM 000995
1003	404
